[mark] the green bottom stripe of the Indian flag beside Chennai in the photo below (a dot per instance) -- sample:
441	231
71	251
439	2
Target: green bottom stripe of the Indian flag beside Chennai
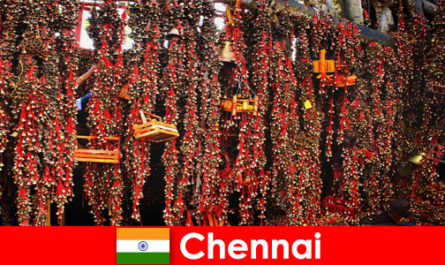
143	258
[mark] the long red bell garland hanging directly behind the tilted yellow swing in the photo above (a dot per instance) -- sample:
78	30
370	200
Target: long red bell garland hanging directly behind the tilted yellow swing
143	88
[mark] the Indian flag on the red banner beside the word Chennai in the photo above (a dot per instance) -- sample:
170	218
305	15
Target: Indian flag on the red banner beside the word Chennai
143	246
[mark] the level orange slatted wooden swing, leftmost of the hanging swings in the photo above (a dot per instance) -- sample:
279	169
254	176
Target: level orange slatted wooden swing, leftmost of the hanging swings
99	155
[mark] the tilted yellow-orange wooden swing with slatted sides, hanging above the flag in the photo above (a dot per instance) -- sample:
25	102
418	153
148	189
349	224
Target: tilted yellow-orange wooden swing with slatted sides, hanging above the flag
154	130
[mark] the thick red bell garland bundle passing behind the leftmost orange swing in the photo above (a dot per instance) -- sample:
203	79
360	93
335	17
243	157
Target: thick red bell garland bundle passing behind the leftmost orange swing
103	183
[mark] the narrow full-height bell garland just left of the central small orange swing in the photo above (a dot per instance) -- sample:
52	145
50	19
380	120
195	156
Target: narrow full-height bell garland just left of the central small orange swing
205	187
